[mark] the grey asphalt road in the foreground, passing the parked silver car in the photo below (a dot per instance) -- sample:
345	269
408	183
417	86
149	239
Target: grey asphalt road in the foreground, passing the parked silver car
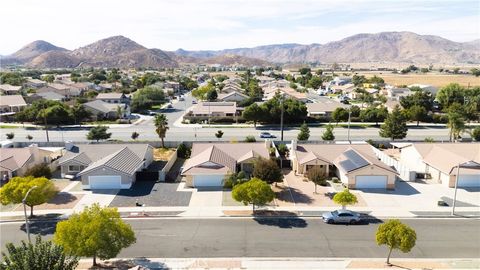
276	237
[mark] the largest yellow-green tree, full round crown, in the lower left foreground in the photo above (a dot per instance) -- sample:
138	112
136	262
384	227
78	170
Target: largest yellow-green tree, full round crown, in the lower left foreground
94	232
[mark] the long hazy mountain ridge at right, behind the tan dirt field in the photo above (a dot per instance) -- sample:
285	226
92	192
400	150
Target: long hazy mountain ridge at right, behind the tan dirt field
381	47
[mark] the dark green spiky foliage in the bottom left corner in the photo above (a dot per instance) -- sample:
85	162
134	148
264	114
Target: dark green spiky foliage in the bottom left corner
38	256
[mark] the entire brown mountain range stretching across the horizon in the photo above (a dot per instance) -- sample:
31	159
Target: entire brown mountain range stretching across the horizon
119	51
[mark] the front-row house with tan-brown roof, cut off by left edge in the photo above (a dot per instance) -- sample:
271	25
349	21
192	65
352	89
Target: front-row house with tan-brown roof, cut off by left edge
16	161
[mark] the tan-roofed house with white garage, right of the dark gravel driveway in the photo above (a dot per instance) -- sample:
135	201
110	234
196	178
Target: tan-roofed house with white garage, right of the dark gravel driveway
210	163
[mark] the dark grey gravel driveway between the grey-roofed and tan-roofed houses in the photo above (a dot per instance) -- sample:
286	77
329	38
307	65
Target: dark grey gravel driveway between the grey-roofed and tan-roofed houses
151	194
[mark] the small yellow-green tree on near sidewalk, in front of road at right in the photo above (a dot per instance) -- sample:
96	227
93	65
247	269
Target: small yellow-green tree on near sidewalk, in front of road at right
396	235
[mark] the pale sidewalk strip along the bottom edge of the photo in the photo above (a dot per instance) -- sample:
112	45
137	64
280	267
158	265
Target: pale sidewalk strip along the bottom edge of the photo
285	263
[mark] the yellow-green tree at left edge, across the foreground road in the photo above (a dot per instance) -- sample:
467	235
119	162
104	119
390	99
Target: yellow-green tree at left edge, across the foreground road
16	189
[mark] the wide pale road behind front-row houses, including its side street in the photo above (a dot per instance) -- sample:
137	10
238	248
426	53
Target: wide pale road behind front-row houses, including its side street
147	132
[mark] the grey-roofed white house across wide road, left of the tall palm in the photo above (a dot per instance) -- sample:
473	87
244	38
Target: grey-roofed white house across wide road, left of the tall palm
104	110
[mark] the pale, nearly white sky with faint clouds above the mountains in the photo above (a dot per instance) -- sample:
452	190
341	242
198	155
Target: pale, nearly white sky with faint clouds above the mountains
217	24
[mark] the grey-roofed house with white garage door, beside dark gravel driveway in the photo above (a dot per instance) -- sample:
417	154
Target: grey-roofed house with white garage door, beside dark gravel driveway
105	166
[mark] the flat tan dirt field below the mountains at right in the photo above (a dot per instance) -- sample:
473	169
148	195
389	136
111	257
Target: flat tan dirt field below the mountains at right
438	80
